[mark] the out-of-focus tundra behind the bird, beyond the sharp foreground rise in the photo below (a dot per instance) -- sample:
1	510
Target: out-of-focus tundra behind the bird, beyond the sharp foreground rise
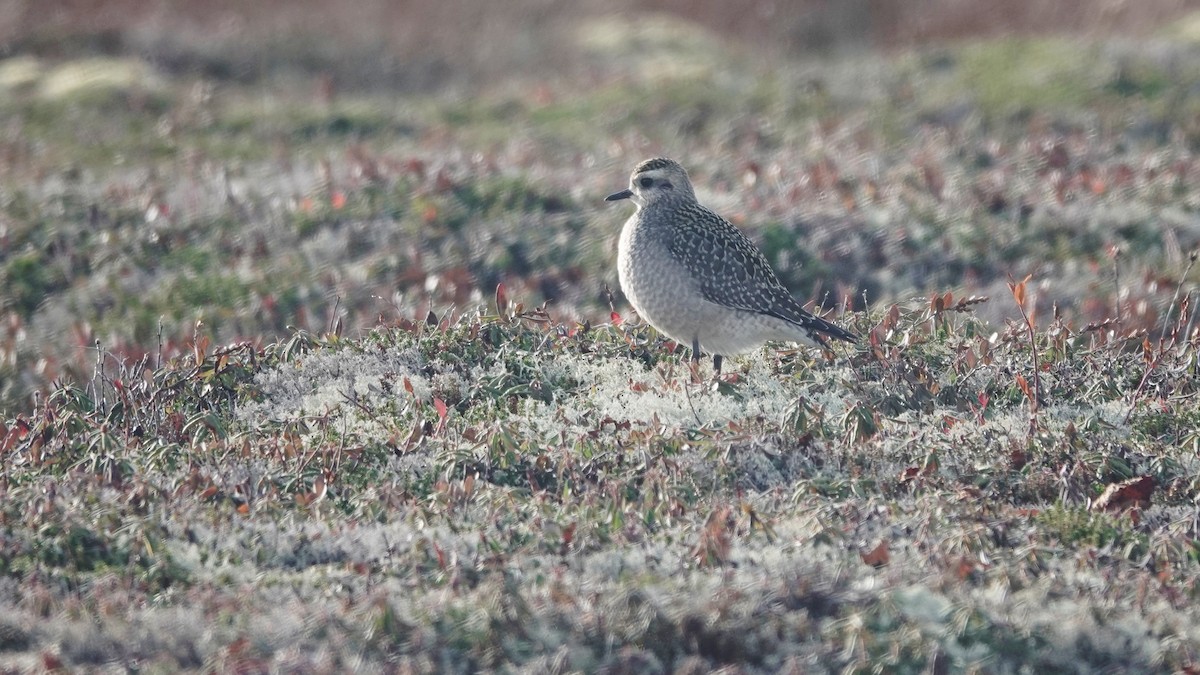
242	171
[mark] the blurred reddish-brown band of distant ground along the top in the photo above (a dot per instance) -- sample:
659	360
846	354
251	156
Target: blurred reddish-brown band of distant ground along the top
431	44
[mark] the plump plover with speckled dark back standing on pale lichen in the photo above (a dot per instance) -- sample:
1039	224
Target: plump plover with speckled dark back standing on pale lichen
698	279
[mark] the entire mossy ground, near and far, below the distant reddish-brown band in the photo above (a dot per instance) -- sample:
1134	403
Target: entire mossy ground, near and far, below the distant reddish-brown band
287	422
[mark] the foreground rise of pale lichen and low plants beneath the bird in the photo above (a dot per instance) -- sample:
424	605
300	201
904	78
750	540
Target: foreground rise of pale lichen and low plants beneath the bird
503	491
